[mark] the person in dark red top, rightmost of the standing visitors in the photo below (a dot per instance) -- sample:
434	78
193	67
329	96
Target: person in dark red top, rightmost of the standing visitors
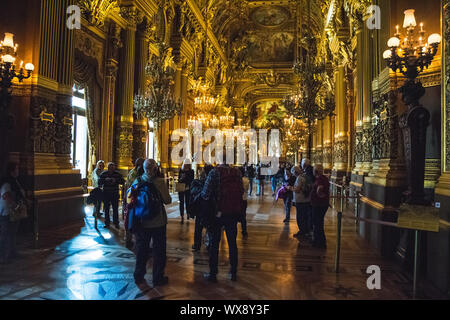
320	202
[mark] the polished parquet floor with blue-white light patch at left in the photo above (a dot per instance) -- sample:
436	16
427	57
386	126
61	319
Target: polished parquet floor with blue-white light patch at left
79	262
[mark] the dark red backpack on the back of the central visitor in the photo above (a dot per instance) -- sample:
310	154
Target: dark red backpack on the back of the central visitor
231	191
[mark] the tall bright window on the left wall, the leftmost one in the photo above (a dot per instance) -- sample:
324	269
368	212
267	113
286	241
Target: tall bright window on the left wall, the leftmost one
80	140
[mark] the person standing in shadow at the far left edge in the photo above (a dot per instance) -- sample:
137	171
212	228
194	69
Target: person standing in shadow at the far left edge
12	210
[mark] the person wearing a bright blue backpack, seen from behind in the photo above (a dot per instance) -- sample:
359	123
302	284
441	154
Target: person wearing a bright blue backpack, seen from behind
153	225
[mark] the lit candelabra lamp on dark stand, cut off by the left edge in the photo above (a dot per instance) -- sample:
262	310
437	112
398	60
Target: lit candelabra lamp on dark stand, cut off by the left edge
8	72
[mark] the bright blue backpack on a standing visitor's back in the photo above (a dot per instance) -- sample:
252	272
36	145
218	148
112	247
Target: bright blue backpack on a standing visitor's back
148	203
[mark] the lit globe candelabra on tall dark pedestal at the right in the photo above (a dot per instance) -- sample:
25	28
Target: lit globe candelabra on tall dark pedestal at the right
410	56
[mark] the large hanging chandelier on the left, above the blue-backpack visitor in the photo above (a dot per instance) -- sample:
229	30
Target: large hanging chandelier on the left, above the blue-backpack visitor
157	102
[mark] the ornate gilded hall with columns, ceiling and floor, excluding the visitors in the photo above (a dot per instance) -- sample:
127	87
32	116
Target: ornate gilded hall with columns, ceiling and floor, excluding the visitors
358	87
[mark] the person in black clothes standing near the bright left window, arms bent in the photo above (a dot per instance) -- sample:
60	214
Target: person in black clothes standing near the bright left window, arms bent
110	180
